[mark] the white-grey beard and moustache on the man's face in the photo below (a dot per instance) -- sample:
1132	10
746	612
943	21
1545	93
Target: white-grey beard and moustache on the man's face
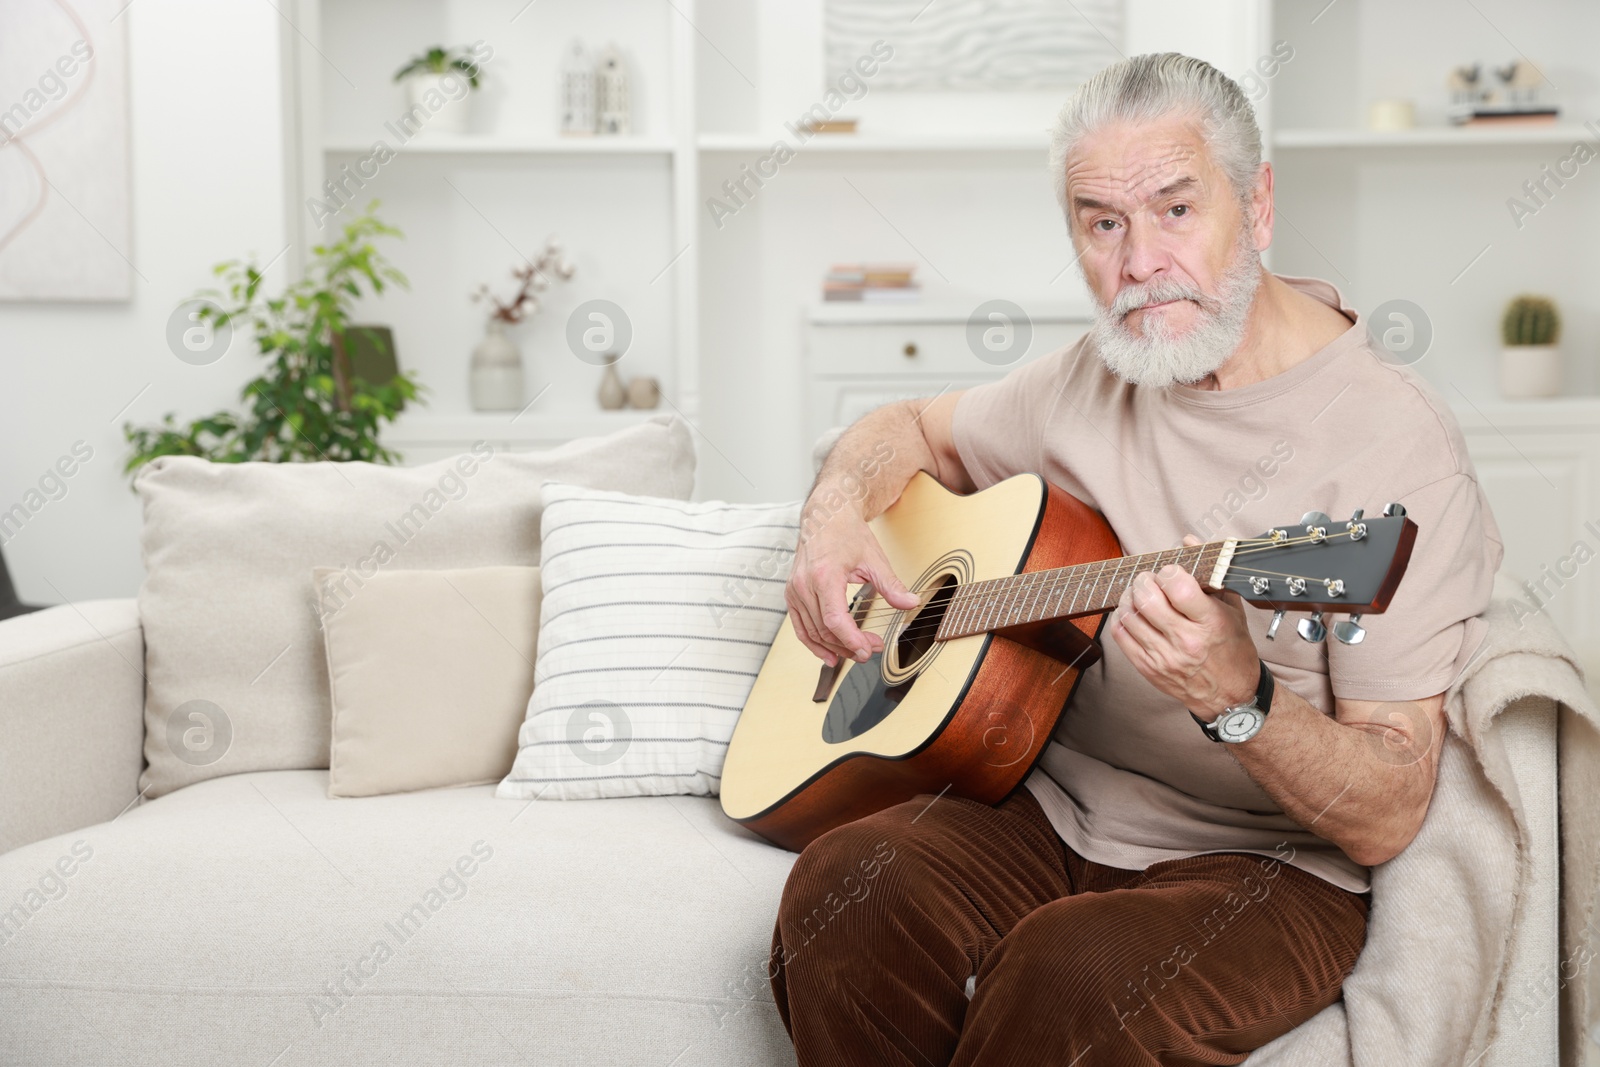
1159	358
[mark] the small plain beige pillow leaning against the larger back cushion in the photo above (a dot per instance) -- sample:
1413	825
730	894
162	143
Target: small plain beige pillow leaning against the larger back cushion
430	673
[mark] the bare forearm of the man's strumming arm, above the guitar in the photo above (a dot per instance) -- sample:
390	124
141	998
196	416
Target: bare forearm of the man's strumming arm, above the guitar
870	466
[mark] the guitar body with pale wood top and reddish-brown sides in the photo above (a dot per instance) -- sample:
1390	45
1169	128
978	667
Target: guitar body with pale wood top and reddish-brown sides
969	716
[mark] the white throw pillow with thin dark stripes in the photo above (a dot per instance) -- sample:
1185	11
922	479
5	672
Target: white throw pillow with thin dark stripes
655	620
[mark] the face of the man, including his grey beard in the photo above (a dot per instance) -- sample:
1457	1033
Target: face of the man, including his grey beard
1166	247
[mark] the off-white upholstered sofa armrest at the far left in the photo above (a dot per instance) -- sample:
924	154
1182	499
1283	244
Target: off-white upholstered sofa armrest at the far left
71	719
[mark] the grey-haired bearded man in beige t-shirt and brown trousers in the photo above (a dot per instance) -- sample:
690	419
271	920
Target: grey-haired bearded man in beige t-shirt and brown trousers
1161	892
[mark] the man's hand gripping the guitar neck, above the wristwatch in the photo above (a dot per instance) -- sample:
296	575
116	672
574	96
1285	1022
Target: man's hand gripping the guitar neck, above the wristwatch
1186	642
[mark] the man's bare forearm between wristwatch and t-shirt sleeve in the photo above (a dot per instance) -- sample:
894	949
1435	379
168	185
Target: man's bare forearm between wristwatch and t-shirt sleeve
1348	783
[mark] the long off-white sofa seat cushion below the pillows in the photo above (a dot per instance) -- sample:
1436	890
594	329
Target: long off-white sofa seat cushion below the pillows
254	921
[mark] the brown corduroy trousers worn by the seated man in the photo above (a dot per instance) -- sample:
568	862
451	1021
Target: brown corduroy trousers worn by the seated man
1194	961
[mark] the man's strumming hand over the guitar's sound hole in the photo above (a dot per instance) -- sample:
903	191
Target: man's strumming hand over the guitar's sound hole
841	551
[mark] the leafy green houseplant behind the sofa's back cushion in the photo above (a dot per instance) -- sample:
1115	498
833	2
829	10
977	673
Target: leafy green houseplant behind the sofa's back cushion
308	406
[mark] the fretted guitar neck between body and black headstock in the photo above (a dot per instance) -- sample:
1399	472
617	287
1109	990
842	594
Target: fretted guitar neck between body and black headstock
1070	593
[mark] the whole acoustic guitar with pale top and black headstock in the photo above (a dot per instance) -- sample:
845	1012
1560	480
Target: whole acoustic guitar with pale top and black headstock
1014	585
